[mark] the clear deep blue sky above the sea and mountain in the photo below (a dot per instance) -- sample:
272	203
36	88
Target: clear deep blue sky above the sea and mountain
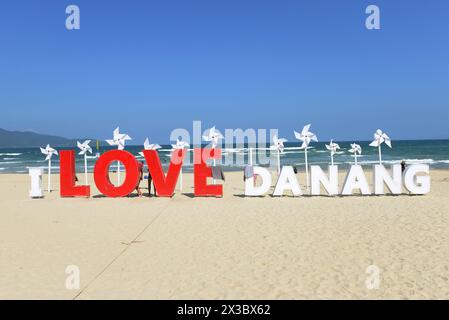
152	66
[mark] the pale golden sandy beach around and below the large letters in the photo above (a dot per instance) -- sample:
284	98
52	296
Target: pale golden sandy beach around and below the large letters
229	248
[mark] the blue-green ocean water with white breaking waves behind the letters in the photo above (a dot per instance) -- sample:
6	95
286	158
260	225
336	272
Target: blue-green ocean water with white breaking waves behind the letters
432	152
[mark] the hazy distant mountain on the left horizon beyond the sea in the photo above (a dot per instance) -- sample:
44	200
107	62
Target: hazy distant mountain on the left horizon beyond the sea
22	139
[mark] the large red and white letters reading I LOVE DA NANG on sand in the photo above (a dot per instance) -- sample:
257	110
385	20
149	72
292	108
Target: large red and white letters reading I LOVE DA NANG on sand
415	179
